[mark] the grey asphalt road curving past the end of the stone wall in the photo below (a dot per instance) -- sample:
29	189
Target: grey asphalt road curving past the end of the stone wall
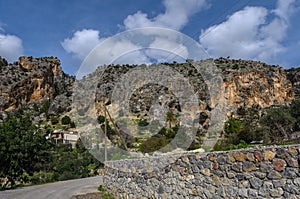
57	190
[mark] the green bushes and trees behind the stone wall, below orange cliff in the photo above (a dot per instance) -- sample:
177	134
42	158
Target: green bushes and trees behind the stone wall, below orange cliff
275	126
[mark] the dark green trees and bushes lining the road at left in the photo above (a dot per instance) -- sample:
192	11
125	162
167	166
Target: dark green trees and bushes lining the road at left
26	157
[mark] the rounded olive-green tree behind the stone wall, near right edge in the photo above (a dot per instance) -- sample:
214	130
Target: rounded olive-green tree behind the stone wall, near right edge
279	123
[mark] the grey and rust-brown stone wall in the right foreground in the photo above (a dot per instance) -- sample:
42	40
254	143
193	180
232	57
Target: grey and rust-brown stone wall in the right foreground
270	172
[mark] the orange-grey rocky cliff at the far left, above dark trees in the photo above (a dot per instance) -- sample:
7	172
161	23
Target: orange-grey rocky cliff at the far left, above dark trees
33	80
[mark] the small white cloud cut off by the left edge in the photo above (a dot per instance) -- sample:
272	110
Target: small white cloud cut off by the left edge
11	47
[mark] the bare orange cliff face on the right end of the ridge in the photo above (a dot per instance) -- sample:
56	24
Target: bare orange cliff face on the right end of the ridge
249	83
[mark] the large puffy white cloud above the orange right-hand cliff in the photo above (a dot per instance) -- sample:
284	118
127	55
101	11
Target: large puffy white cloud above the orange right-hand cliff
237	36
